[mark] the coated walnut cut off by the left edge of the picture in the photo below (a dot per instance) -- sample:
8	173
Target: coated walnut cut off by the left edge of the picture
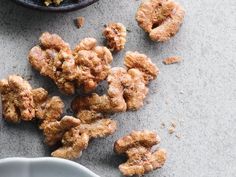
17	99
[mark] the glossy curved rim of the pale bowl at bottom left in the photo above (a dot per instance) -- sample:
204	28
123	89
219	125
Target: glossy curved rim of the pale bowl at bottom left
48	159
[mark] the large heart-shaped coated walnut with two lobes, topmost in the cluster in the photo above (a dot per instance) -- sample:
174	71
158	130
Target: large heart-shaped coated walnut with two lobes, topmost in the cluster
86	66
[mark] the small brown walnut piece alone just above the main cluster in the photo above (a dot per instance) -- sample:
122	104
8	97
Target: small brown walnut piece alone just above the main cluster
115	34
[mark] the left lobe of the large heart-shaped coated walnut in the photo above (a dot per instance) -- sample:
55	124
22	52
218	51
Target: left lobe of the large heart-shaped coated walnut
54	59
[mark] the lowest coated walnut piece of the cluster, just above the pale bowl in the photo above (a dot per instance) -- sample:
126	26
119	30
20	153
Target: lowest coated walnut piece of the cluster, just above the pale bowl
74	141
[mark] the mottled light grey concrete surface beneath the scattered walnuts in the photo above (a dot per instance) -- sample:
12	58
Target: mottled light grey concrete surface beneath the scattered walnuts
199	93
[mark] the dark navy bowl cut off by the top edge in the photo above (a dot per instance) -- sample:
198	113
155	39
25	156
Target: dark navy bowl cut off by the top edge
65	6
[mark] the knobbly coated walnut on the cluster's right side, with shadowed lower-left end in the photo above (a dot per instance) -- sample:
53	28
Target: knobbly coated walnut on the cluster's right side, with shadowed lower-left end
127	88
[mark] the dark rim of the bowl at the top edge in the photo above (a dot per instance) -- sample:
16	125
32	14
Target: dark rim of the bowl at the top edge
68	8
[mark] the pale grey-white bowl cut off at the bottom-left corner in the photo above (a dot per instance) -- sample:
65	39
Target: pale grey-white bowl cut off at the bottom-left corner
42	167
